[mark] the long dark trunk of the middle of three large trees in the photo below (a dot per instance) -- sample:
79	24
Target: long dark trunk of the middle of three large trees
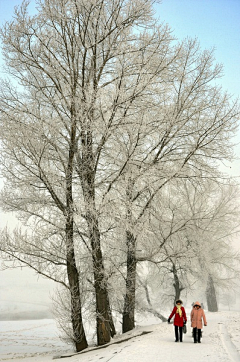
87	174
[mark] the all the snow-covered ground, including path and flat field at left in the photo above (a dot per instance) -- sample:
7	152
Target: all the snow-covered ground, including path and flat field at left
37	341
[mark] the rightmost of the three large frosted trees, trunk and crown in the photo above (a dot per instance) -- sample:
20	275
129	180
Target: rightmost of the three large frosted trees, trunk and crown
187	128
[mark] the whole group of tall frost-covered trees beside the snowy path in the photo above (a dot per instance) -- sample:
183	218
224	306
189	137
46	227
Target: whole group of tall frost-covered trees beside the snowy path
111	137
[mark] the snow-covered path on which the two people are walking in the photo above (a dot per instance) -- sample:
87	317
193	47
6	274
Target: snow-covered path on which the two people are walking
220	343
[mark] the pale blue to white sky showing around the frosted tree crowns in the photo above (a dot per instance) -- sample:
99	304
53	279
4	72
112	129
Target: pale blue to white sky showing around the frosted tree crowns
216	23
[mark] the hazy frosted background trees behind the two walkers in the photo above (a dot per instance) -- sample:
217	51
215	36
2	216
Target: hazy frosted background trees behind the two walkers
200	258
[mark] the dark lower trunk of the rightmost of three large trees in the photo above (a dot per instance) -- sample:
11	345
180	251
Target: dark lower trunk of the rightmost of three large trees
129	302
